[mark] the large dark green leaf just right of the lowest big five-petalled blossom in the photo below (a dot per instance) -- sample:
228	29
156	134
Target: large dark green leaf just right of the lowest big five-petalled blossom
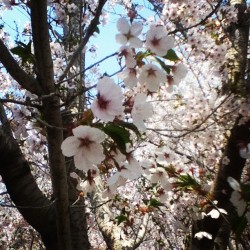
119	134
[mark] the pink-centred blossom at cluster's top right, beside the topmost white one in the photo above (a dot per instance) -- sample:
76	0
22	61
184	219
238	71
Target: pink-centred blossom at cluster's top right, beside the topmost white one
158	41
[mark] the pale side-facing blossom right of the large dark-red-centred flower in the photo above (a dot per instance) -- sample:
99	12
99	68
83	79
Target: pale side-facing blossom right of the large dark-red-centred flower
141	111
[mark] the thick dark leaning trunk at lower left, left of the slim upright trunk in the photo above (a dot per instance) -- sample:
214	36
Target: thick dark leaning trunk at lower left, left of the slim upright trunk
38	210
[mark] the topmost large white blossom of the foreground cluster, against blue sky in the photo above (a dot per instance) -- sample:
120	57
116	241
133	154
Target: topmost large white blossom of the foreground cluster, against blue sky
129	33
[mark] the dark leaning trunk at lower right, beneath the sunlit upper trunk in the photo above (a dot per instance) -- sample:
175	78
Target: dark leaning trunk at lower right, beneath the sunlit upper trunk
222	192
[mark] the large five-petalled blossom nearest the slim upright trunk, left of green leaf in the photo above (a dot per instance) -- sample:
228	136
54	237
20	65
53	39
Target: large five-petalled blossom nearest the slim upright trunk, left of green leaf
85	146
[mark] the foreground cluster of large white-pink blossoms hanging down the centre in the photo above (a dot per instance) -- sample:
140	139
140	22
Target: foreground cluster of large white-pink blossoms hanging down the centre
110	103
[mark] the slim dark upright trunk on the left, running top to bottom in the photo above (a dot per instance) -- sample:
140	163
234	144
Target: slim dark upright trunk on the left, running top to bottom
52	116
